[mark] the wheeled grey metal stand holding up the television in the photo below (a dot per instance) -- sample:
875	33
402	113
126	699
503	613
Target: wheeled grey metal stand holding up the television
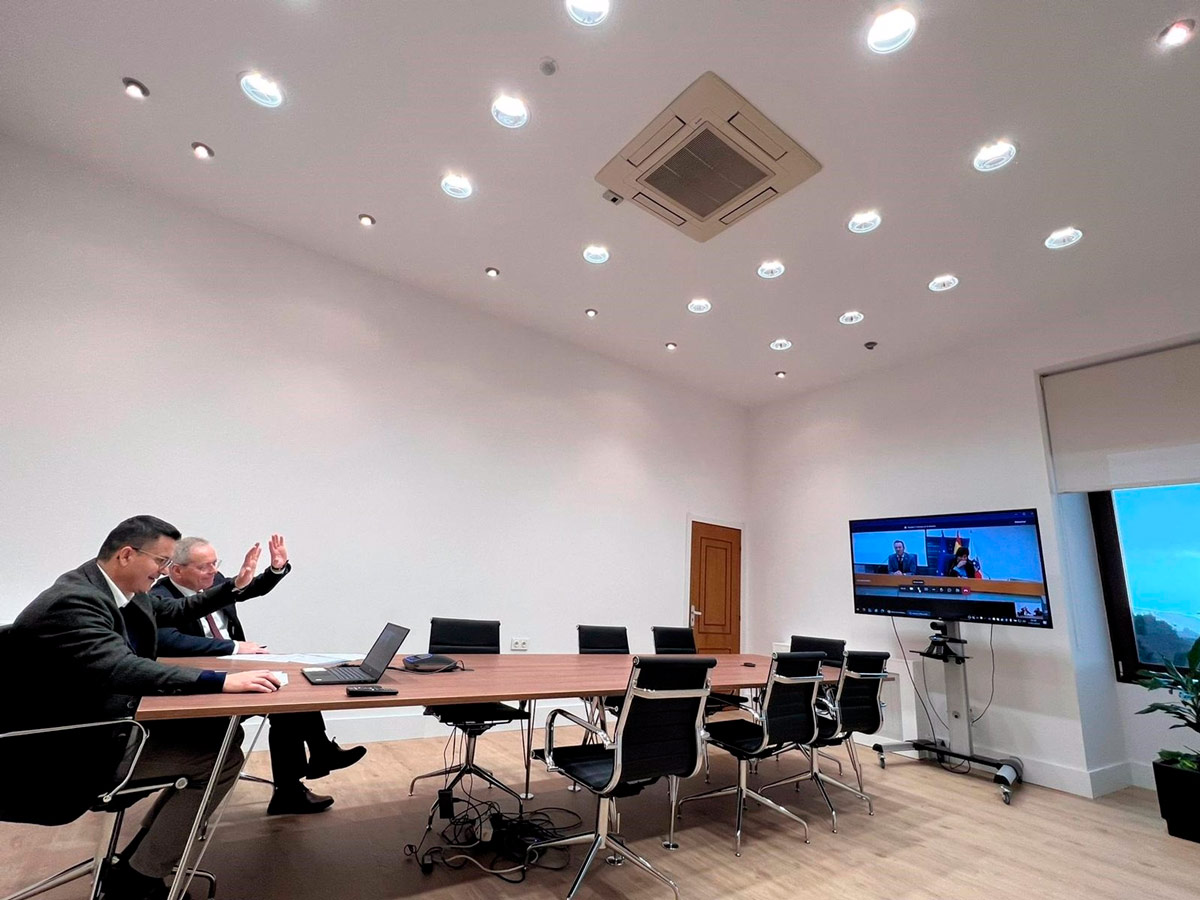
946	645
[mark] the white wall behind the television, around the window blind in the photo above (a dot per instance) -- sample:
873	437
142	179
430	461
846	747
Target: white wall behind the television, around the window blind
891	446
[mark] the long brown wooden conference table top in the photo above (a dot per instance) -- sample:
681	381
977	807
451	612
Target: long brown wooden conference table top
503	677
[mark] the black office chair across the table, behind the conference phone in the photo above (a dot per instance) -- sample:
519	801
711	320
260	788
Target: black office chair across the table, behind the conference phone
461	638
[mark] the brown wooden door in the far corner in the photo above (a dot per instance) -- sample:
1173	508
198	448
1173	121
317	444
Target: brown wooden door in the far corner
717	589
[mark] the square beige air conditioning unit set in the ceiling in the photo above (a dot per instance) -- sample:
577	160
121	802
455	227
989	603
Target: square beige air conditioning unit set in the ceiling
707	161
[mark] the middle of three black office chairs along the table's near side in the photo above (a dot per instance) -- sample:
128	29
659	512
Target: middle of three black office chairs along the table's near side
789	721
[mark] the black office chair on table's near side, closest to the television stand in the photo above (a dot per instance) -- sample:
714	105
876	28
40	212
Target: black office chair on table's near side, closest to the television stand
855	709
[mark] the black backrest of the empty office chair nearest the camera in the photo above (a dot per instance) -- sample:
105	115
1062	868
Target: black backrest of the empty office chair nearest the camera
659	736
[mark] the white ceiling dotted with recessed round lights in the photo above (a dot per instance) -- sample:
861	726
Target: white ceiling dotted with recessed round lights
385	98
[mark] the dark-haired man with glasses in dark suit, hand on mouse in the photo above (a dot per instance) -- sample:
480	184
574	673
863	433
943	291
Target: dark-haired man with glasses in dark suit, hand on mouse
92	639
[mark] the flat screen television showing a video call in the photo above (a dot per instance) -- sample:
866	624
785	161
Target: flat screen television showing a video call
970	567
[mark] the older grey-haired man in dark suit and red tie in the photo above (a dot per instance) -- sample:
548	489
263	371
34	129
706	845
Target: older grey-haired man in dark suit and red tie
195	568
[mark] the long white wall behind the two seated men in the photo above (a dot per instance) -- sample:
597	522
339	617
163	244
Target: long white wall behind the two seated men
421	459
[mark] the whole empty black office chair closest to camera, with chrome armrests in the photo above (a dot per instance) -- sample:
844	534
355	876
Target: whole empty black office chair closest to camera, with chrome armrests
658	735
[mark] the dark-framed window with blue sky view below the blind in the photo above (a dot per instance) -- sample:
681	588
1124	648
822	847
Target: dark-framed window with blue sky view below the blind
1149	547
